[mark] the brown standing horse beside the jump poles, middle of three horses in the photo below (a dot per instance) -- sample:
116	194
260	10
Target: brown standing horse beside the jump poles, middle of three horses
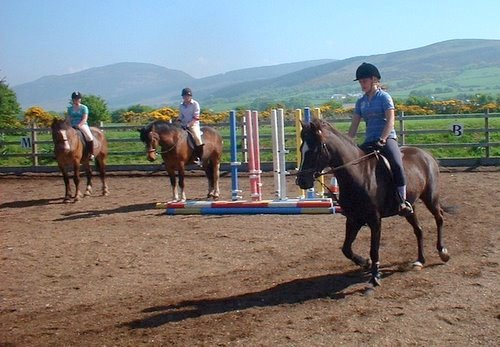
177	152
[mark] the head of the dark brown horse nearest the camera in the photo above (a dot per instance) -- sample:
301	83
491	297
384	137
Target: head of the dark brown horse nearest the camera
314	153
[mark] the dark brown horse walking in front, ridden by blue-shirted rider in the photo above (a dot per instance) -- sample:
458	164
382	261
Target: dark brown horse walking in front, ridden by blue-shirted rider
367	193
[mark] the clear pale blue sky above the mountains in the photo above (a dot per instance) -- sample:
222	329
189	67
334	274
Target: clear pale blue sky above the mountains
208	37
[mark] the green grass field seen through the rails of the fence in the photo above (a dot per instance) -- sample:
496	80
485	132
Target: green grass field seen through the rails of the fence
125	147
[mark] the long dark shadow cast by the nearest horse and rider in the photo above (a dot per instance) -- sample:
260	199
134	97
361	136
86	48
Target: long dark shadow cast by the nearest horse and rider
332	286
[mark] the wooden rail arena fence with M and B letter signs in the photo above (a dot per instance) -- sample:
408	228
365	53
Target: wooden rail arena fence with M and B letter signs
479	133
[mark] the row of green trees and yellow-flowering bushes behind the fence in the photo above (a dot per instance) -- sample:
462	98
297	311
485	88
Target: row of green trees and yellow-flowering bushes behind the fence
11	115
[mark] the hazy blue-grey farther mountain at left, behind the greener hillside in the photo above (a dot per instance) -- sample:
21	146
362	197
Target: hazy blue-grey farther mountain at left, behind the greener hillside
126	84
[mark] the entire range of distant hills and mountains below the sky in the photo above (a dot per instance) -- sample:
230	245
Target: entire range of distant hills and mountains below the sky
445	68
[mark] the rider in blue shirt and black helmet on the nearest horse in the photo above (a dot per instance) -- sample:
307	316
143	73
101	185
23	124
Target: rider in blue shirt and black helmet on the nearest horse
376	108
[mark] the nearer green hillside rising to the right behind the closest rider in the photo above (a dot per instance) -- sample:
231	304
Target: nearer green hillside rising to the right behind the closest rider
455	66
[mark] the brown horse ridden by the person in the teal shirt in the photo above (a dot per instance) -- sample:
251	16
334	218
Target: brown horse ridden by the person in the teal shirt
70	152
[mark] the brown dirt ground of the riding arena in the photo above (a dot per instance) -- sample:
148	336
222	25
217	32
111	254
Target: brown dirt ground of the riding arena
115	271
